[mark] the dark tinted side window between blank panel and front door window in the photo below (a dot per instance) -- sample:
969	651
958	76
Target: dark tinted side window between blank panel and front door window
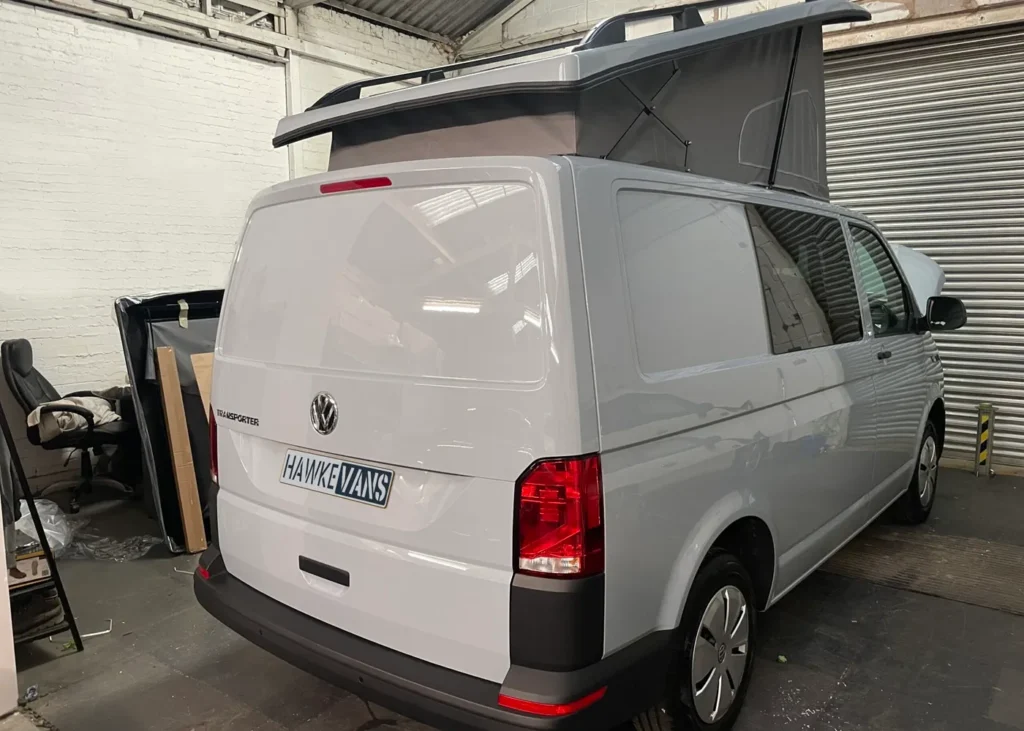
807	279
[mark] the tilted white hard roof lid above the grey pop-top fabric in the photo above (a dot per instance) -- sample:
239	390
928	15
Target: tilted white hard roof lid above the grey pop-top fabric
584	68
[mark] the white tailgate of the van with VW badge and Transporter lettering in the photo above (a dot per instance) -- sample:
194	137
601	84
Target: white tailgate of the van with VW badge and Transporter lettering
388	366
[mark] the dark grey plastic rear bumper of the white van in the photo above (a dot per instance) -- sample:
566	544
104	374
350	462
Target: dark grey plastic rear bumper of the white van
428	693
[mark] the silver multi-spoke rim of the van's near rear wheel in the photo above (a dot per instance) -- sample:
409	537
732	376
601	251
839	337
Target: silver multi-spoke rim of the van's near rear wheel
719	660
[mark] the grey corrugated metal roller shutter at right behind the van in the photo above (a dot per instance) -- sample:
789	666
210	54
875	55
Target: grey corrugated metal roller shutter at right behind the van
928	140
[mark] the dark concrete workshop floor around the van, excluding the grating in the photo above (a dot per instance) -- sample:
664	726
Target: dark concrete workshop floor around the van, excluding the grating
860	656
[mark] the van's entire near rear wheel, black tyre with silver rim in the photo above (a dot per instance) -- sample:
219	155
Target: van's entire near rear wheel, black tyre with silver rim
708	682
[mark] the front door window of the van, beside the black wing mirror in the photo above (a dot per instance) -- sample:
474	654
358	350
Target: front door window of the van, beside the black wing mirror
883	288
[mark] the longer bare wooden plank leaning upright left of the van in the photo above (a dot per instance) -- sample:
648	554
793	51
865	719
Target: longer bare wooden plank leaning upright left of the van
178	435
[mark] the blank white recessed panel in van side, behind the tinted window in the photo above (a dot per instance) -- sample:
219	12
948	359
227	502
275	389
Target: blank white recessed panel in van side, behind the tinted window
693	281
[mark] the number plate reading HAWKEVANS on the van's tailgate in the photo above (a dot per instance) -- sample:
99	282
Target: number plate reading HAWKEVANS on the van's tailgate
346	480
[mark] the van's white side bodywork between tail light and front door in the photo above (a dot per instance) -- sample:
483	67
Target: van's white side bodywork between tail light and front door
734	432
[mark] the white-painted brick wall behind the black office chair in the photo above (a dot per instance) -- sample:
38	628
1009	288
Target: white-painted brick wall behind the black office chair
126	165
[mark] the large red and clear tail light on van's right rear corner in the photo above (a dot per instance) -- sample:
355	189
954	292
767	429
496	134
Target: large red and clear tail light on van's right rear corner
560	524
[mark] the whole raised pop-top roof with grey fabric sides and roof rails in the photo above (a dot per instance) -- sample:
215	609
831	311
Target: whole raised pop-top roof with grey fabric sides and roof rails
741	99
